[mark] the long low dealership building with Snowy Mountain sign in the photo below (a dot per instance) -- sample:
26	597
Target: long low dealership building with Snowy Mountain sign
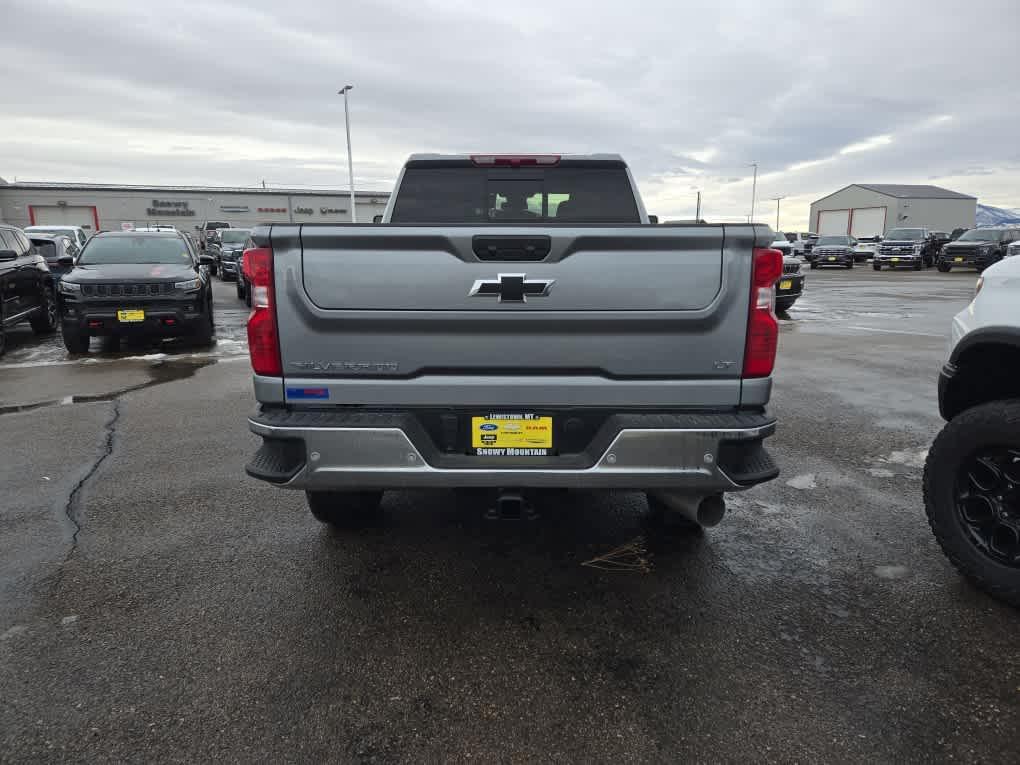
98	208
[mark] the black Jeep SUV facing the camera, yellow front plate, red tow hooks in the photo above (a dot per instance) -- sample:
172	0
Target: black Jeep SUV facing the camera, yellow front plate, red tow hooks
136	284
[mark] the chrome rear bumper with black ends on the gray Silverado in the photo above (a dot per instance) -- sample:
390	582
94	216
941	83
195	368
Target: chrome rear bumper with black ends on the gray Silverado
704	453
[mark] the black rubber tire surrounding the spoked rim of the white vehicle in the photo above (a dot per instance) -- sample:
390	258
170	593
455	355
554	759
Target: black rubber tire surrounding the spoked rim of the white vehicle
971	434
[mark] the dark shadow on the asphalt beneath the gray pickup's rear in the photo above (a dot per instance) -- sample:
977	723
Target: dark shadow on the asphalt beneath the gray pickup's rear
430	545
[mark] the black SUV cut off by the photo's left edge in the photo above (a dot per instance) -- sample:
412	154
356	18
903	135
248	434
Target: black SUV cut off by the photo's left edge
26	286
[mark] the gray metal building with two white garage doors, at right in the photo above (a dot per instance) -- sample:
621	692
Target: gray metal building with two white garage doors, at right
868	210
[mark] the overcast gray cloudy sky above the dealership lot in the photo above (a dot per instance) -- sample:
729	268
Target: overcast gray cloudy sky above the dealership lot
821	94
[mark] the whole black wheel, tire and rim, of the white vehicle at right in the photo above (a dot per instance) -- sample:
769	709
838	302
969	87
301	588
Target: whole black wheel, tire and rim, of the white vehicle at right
973	496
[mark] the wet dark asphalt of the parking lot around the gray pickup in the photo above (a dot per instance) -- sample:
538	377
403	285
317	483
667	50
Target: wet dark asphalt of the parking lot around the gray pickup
156	604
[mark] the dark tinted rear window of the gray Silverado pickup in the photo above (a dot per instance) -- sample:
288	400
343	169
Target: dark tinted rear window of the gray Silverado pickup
482	195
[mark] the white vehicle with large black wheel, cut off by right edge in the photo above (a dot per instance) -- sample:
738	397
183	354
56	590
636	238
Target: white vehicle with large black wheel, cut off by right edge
973	474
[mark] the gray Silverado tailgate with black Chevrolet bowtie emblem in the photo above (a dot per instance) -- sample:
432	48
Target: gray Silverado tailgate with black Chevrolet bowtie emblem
414	317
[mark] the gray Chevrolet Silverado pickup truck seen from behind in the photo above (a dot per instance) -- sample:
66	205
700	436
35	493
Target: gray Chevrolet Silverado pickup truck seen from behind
516	324
